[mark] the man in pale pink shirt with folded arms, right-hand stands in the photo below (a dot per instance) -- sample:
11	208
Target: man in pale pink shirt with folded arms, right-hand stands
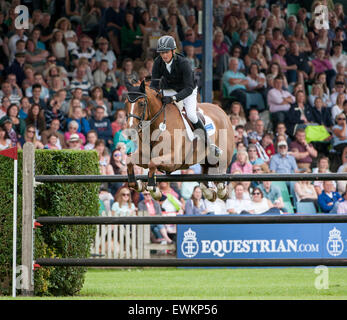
279	101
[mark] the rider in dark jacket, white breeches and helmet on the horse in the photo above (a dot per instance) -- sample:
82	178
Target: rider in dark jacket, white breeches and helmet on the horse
178	83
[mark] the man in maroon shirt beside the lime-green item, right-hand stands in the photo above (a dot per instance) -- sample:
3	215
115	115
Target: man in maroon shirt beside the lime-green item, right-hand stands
303	152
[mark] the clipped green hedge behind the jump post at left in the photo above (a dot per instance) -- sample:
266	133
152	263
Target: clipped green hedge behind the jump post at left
51	199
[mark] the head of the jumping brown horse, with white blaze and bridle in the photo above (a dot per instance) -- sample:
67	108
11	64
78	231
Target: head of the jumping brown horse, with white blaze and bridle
140	100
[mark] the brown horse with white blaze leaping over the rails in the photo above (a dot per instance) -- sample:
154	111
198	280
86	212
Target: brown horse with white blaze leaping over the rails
163	143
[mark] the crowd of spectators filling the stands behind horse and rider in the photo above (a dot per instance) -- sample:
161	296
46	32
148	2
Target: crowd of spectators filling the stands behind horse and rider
281	80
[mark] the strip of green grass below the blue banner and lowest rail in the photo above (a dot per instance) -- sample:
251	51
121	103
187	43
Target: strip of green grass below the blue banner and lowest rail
210	284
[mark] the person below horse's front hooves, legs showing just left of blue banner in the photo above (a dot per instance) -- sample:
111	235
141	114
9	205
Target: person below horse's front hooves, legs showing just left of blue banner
153	208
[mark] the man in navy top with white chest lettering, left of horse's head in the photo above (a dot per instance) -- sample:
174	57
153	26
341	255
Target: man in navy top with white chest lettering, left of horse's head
101	125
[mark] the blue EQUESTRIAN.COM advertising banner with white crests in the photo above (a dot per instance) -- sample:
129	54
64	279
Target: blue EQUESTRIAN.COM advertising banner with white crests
249	241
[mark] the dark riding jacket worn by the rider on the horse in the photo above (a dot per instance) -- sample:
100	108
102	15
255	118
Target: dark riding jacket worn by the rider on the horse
181	78
